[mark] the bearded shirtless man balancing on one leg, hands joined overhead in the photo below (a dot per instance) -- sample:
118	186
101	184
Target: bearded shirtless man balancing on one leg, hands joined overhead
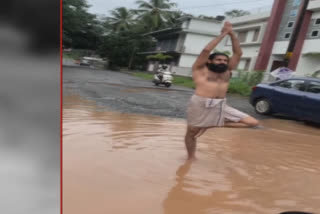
207	108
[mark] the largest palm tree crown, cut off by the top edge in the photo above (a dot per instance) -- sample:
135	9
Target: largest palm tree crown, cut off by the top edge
155	13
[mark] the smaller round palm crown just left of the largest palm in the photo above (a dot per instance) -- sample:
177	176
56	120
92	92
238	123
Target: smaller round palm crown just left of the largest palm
121	20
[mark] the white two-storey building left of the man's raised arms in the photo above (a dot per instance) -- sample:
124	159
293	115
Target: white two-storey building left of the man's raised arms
186	42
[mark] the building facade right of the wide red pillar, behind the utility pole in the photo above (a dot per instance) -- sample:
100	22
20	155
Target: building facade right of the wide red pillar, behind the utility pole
306	54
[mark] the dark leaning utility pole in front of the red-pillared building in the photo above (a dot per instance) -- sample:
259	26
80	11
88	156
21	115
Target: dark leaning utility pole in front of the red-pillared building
296	30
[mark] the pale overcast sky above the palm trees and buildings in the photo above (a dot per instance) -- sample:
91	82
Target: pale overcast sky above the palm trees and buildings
195	7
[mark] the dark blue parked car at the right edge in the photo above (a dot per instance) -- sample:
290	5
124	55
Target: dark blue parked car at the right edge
295	97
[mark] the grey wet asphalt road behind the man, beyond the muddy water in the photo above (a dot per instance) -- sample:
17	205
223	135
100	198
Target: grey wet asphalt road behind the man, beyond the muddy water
123	92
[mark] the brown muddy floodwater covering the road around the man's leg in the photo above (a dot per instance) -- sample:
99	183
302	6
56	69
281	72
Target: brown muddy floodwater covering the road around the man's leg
124	163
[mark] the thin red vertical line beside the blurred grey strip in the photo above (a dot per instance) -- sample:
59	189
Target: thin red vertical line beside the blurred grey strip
61	111
